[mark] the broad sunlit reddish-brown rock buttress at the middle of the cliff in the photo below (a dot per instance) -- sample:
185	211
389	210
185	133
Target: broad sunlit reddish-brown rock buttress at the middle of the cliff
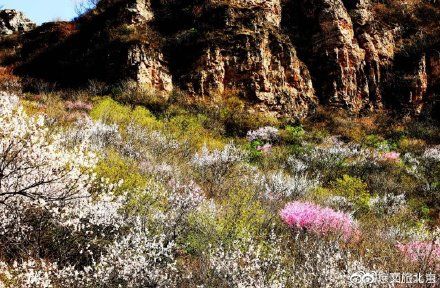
246	52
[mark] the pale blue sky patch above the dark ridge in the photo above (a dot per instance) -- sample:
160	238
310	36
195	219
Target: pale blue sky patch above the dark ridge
41	11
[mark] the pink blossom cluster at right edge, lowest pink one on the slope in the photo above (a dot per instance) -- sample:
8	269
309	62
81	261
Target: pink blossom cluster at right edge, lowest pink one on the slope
416	251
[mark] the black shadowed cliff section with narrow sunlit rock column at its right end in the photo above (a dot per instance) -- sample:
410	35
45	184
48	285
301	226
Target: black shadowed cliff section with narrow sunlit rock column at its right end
112	44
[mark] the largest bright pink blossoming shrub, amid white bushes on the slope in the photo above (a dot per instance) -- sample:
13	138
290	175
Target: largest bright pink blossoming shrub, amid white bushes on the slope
318	220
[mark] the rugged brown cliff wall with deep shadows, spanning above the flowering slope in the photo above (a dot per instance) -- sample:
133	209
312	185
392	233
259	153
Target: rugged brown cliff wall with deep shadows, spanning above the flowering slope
282	56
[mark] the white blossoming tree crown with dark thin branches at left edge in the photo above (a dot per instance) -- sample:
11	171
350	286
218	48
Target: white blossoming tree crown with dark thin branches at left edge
34	164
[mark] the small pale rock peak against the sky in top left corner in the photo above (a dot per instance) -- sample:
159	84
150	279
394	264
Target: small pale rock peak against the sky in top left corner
12	21
